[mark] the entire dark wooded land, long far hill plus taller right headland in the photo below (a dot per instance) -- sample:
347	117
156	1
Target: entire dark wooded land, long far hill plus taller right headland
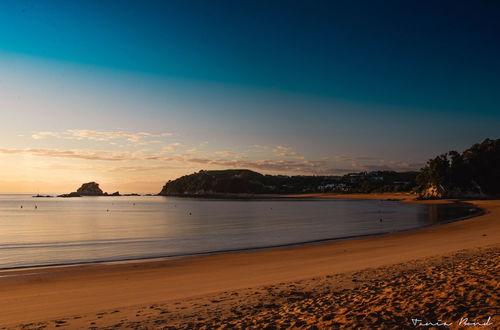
473	173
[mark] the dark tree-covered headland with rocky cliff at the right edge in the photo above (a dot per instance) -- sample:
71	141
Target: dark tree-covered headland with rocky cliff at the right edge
475	172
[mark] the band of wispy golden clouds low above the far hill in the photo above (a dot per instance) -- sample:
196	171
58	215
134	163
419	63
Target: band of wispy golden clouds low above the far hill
162	155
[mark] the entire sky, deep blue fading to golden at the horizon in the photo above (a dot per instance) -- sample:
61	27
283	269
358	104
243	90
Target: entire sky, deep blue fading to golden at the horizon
134	93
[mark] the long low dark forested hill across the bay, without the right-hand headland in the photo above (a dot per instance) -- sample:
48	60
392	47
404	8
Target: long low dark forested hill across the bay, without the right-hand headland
242	181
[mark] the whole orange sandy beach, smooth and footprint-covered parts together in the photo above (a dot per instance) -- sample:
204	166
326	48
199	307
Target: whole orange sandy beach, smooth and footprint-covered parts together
330	284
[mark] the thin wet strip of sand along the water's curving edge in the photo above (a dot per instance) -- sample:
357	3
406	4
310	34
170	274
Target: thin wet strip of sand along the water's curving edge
320	196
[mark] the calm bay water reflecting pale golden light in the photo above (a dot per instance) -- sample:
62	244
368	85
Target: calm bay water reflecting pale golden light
87	229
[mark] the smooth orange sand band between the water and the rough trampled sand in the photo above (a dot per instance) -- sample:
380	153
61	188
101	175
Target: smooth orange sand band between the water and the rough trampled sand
48	293
